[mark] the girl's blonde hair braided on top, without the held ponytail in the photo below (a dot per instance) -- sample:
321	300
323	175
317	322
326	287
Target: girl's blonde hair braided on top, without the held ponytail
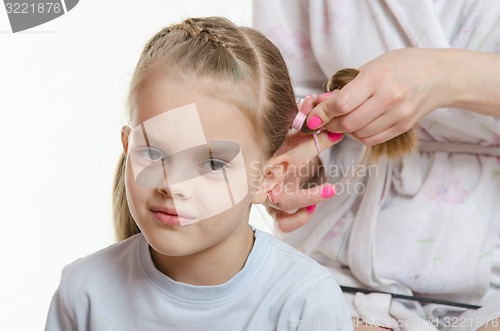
220	57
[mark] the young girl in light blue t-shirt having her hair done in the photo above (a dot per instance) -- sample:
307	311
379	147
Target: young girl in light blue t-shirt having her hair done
210	103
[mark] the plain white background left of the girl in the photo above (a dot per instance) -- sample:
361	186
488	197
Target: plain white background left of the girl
63	86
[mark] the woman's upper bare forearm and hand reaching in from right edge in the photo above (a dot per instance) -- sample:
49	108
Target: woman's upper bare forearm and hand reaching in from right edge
395	90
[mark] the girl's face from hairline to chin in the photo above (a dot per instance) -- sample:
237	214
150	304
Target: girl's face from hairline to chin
193	168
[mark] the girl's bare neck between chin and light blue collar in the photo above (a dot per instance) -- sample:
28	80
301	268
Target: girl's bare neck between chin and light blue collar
212	266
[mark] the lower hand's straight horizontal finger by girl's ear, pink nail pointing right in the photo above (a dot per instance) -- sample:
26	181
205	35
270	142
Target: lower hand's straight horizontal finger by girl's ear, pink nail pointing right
293	199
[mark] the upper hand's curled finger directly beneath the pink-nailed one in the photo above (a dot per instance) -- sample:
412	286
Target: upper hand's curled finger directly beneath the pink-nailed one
360	117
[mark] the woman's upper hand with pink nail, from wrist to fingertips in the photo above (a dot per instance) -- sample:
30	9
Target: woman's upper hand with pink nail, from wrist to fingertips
388	97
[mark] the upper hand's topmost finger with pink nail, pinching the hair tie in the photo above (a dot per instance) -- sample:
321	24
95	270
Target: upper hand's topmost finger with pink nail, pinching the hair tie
346	100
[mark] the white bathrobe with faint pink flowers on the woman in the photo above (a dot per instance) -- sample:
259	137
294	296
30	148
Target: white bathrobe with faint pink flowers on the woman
428	225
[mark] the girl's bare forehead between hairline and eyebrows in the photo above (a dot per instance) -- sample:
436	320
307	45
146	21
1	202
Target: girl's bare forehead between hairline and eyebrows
184	111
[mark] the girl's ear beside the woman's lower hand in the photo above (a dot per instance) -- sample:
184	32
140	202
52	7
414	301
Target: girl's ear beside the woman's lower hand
275	172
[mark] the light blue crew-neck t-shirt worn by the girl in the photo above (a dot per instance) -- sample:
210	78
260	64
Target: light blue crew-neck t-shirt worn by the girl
120	289
